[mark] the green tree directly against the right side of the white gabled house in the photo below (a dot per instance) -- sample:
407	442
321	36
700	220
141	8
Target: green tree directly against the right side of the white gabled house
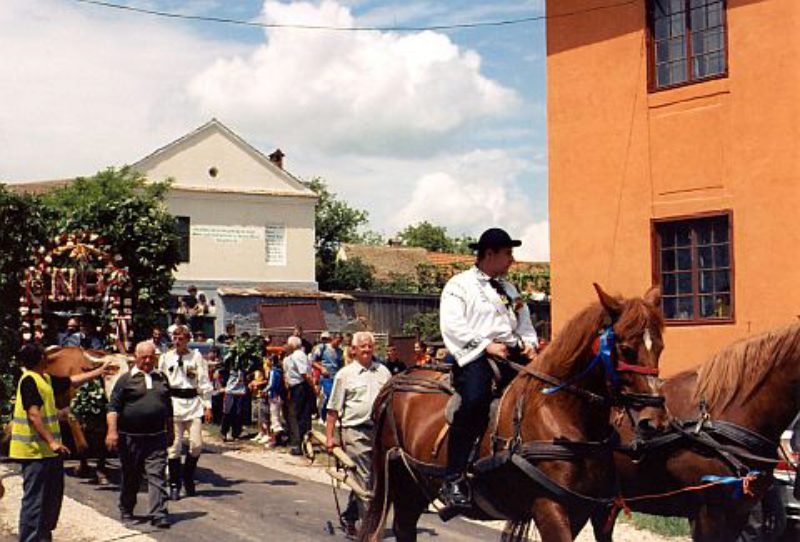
335	223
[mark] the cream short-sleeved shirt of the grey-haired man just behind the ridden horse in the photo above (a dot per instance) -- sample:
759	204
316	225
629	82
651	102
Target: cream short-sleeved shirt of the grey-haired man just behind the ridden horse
354	391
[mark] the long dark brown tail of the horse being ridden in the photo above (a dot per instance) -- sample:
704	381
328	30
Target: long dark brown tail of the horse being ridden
372	525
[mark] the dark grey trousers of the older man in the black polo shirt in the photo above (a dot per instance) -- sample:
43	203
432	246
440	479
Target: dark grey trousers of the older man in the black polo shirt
143	454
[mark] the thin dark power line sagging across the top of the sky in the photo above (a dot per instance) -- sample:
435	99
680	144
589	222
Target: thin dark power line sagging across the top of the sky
456	26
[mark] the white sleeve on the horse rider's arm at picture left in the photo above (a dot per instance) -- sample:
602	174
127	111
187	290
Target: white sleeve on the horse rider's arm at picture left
458	336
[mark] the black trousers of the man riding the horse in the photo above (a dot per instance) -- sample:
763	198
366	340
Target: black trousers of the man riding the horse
473	382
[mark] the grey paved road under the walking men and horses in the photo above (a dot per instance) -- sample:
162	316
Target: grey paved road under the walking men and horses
239	500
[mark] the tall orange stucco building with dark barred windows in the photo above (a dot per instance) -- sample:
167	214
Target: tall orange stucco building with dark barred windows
674	128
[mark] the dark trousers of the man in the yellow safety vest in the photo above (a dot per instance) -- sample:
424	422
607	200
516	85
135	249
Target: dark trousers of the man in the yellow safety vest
42	492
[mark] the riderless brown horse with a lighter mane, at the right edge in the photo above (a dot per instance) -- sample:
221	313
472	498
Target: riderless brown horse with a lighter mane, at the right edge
753	384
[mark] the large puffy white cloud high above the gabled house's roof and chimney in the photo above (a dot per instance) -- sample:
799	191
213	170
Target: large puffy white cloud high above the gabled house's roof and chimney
354	92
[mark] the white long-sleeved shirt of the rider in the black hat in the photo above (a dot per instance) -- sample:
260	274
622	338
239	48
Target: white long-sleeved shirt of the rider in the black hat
472	315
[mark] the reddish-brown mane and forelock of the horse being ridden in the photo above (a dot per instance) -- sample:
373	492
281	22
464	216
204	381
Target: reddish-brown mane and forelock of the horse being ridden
579	332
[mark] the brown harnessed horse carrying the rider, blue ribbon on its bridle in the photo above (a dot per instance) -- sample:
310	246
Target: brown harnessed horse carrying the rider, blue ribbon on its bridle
408	461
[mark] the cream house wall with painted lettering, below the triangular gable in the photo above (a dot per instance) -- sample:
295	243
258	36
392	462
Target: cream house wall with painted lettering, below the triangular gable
227	241
